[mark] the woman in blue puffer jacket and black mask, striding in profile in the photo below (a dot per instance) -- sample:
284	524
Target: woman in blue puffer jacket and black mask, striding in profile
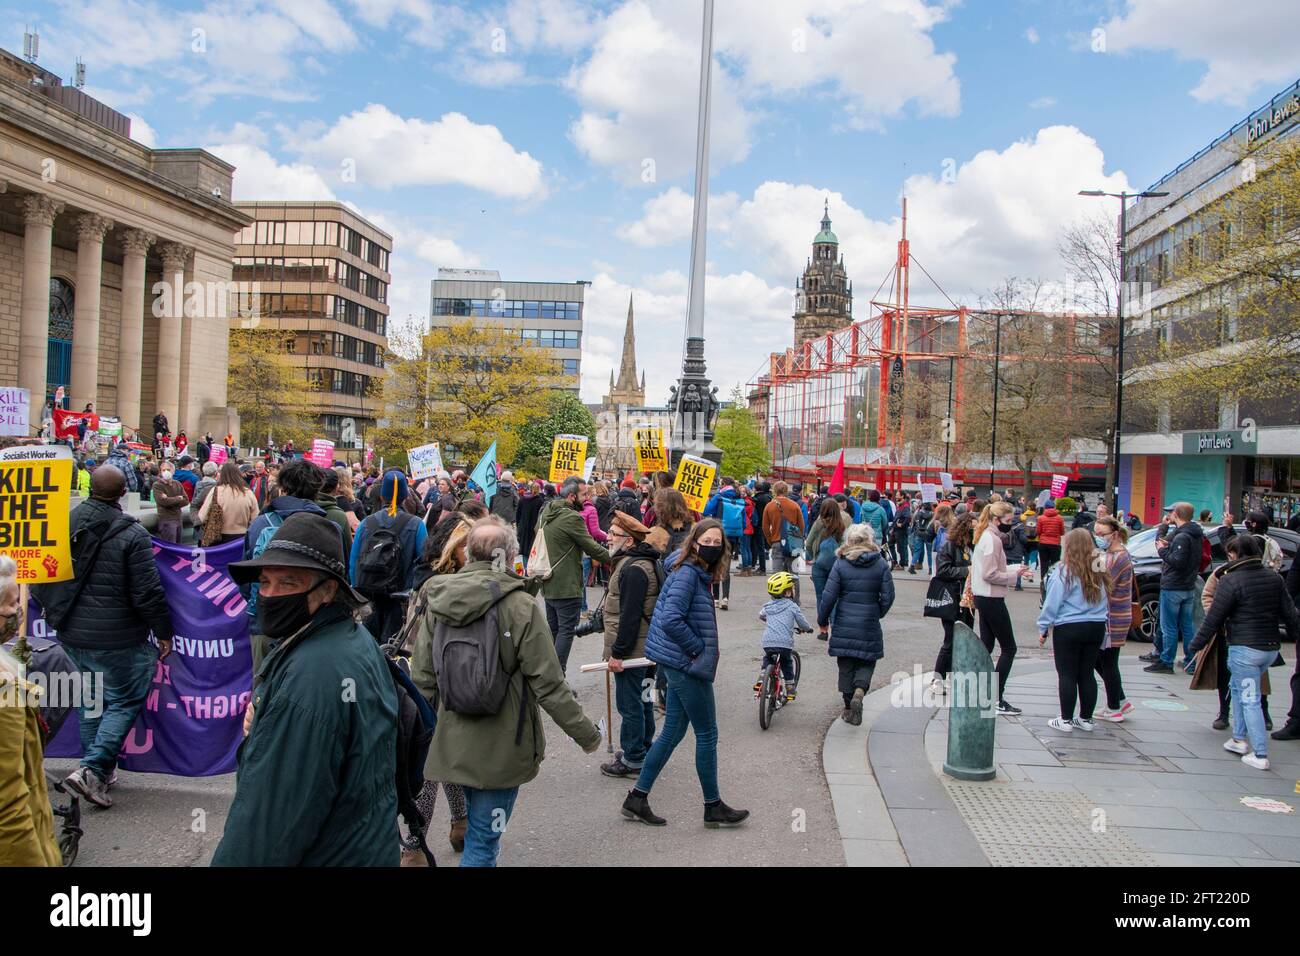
683	641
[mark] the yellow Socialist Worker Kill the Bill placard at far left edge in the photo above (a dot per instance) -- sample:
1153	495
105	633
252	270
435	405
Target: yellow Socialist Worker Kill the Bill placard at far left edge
34	503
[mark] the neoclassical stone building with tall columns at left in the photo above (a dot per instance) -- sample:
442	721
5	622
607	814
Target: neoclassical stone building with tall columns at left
115	262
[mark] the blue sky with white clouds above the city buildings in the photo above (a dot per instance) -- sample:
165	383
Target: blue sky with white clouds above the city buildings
553	140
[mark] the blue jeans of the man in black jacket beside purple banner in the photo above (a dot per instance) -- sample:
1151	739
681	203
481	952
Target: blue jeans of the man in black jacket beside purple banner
123	680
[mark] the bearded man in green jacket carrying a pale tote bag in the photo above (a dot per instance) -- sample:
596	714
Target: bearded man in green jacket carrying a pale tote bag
567	540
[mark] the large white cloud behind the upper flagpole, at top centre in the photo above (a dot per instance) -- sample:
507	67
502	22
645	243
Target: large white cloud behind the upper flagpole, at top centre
639	86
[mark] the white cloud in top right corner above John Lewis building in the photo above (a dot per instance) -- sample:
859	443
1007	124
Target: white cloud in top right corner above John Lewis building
1242	49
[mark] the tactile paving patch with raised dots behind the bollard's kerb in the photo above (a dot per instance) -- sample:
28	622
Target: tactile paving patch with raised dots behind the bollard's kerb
1025	827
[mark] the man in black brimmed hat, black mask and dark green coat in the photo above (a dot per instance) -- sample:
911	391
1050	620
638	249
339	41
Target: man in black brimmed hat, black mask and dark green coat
317	775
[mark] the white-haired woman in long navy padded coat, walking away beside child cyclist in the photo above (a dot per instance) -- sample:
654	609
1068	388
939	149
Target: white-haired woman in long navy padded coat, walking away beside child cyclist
859	594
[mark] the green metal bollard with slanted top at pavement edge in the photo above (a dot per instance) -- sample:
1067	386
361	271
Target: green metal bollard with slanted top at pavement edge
972	715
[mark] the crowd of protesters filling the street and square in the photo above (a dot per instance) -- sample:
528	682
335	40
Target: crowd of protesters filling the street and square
346	568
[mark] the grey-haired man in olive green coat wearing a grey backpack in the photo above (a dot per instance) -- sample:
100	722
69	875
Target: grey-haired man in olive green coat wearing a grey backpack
492	756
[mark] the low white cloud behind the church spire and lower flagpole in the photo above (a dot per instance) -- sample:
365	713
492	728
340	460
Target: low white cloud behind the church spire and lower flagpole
738	301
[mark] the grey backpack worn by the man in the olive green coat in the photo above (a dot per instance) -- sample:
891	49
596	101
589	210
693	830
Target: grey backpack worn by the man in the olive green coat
467	663
